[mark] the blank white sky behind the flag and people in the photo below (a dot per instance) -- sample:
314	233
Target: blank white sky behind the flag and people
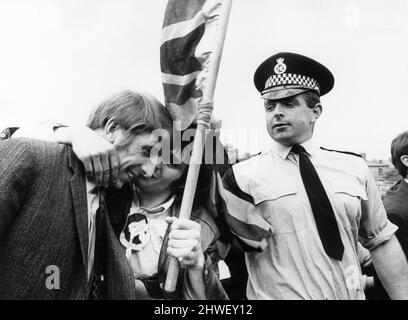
60	58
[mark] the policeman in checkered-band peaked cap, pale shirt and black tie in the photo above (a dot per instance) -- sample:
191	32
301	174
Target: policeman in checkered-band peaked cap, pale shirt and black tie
304	208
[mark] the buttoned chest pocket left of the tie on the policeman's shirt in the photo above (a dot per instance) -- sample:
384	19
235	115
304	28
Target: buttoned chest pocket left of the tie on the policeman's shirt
280	207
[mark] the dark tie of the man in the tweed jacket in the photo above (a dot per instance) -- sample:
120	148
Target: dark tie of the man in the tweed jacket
98	285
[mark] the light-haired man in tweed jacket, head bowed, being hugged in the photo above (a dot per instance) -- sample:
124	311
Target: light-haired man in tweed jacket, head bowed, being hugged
44	212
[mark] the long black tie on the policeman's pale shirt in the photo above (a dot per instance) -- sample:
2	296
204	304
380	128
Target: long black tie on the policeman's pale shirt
321	207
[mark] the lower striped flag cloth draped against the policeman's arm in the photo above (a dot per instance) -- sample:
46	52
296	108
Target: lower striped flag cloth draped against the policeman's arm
232	206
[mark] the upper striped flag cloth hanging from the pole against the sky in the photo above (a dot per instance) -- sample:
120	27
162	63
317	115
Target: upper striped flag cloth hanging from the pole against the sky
188	36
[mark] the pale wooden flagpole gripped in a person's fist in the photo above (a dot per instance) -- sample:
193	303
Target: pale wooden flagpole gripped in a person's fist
203	123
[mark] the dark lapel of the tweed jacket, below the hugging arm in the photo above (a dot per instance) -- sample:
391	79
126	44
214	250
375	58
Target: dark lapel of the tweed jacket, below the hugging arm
80	204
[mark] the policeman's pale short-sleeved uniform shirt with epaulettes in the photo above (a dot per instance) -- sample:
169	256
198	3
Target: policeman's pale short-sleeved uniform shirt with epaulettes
293	264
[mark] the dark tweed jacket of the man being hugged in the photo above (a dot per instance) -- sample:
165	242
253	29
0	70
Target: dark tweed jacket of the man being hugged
44	222
